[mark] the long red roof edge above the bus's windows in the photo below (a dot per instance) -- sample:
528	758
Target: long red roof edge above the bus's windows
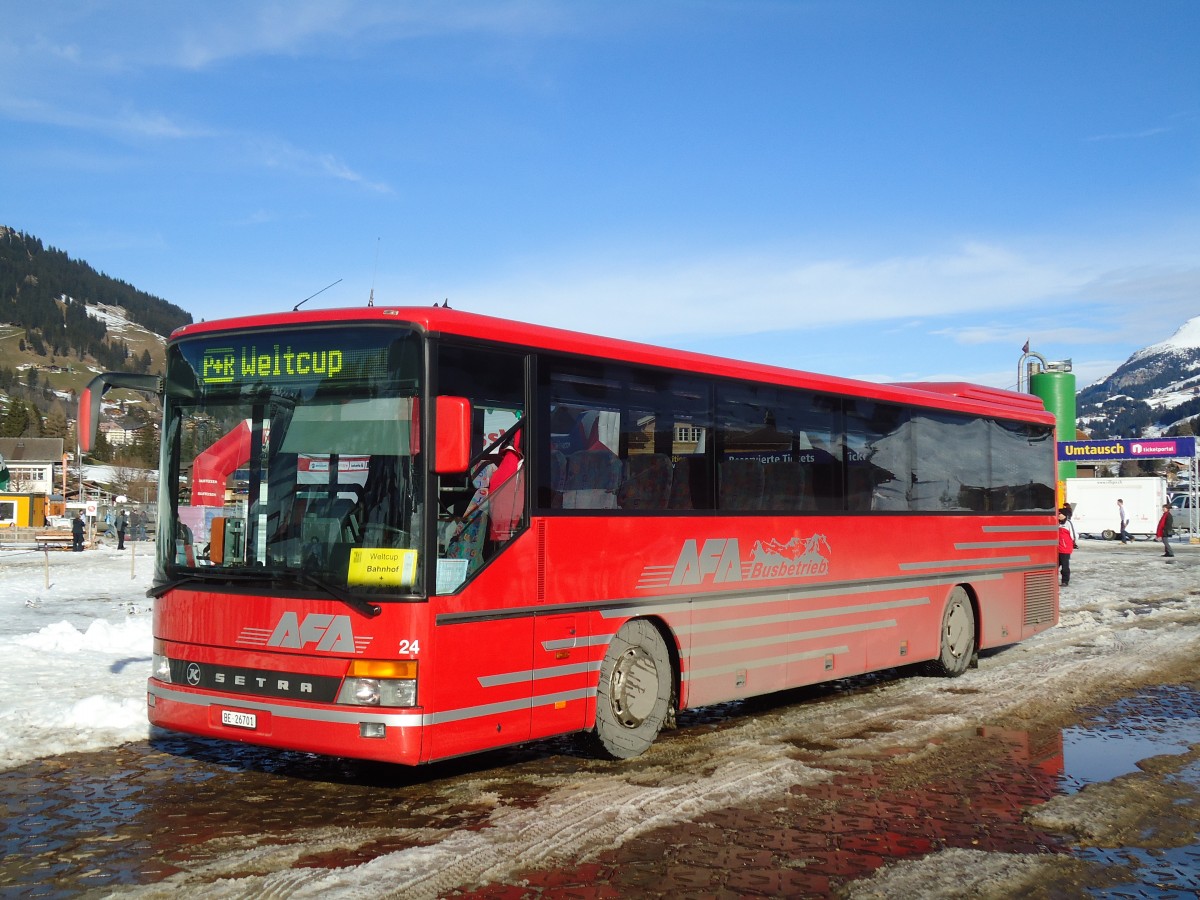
443	321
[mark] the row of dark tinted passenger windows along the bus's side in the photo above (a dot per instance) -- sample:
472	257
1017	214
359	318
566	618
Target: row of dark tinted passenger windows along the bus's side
625	439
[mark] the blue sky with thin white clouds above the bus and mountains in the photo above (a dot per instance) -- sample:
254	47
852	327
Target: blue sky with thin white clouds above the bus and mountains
895	191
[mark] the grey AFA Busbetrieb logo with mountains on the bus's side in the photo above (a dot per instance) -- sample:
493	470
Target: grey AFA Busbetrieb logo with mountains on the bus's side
718	561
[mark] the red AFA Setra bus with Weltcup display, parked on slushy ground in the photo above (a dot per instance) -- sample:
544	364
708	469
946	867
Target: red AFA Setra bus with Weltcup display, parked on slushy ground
407	535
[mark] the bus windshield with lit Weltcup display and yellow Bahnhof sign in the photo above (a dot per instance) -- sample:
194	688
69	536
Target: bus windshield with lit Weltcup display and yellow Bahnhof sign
296	458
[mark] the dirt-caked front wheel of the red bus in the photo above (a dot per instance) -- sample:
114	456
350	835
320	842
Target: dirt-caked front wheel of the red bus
634	695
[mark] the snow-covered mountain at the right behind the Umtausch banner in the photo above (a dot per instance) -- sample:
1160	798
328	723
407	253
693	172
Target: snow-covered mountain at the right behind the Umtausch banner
1153	393
